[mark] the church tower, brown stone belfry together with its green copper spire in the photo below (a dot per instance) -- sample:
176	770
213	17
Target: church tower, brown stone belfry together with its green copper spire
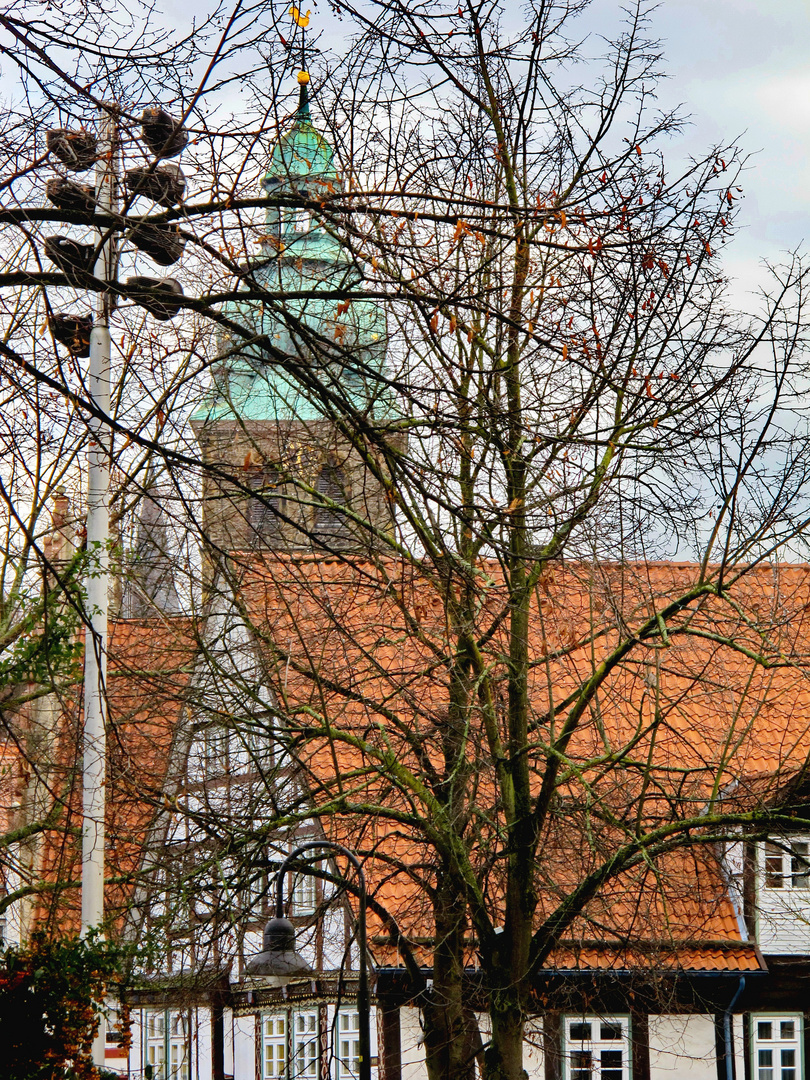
272	420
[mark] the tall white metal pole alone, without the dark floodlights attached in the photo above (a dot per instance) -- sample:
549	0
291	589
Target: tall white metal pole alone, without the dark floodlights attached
98	574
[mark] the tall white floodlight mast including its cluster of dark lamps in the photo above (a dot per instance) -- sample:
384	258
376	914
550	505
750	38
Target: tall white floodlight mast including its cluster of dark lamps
78	151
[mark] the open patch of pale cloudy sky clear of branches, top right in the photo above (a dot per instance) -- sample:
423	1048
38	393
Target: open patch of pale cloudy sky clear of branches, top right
741	70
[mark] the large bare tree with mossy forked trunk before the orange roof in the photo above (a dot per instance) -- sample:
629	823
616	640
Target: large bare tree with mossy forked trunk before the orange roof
480	375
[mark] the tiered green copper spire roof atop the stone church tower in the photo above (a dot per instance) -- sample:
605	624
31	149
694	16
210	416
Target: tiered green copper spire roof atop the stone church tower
302	258
